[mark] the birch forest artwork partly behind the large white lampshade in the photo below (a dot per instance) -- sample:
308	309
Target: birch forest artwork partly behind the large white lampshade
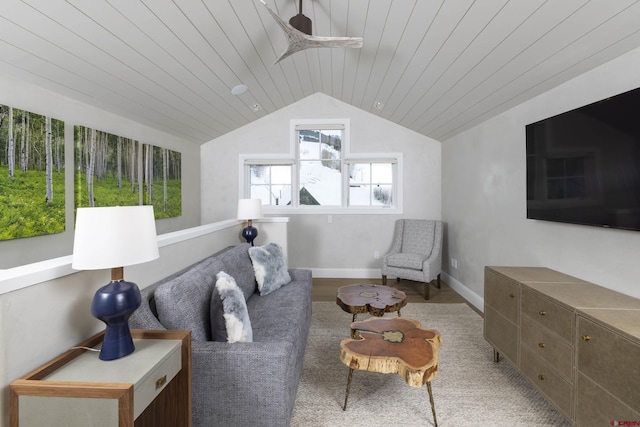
112	170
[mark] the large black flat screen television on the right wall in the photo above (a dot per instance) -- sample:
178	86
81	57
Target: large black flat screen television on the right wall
583	166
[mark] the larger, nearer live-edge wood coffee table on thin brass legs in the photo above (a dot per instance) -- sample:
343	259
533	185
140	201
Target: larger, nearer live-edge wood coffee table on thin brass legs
393	346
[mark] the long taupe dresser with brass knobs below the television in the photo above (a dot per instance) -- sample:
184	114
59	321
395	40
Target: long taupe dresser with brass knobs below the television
576	342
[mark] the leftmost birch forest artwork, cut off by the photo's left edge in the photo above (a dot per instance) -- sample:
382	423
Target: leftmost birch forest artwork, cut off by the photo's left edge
32	199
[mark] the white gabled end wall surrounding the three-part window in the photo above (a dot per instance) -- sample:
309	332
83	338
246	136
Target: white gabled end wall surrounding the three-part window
345	247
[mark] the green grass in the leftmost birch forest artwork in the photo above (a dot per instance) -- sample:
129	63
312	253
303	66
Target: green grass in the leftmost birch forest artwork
24	211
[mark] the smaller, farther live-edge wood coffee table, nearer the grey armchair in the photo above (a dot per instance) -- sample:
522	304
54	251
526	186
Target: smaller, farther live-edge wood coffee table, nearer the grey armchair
373	299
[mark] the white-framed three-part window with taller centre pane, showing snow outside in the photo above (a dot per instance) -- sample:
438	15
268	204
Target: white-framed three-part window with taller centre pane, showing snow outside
320	174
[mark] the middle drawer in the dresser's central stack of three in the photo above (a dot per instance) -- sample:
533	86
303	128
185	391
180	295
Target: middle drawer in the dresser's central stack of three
551	348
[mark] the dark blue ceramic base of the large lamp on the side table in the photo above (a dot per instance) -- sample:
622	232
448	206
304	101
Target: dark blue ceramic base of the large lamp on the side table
114	304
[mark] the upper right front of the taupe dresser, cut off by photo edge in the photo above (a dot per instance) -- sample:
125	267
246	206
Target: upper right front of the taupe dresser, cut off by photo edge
610	360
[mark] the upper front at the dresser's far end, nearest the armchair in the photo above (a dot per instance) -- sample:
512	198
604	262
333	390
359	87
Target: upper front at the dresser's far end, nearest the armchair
502	294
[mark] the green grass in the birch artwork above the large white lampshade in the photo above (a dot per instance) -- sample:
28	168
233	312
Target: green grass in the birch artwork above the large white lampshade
107	193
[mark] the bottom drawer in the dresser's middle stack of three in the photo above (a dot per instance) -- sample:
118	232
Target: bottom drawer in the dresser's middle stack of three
553	386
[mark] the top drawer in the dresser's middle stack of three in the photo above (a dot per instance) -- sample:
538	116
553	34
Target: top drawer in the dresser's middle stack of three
547	313
